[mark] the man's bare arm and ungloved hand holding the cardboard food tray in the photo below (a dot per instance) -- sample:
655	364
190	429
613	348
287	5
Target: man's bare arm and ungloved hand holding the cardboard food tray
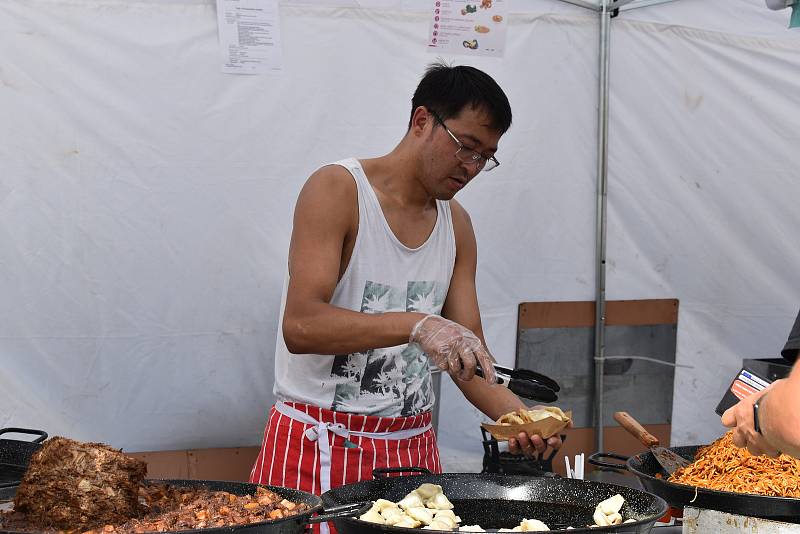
461	306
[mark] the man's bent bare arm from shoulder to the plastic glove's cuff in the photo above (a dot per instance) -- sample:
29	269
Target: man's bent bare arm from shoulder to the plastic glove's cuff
326	216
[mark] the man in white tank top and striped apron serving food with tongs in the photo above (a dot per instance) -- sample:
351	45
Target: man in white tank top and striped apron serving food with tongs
381	282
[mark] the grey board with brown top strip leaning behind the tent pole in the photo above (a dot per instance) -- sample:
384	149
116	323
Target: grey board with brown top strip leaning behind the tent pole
557	339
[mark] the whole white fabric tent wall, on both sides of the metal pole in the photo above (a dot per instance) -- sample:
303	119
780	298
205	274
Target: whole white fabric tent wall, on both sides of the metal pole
146	198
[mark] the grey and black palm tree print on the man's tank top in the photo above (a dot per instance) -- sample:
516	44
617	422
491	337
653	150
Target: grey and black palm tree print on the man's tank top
389	381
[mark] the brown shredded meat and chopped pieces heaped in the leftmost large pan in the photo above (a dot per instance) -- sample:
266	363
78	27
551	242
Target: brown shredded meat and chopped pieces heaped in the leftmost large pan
76	487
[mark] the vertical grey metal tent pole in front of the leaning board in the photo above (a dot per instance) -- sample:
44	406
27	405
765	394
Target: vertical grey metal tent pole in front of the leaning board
600	225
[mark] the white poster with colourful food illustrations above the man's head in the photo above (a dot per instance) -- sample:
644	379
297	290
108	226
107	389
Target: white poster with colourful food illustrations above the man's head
468	27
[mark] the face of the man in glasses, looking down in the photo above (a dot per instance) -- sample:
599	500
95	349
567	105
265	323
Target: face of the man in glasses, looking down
448	166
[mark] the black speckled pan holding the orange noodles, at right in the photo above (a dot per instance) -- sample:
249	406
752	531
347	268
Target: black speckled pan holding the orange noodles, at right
645	466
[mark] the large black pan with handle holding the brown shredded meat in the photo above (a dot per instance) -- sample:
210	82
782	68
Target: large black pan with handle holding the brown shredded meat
296	524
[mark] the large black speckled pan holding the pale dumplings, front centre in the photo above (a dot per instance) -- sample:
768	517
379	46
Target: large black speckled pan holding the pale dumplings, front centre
501	501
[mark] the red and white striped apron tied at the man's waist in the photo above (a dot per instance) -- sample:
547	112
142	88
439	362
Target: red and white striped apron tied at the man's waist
313	449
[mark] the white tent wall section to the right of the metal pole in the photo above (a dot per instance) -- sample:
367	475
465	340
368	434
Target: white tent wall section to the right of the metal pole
703	199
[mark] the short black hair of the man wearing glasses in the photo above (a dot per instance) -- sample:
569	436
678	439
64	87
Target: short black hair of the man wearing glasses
448	90
